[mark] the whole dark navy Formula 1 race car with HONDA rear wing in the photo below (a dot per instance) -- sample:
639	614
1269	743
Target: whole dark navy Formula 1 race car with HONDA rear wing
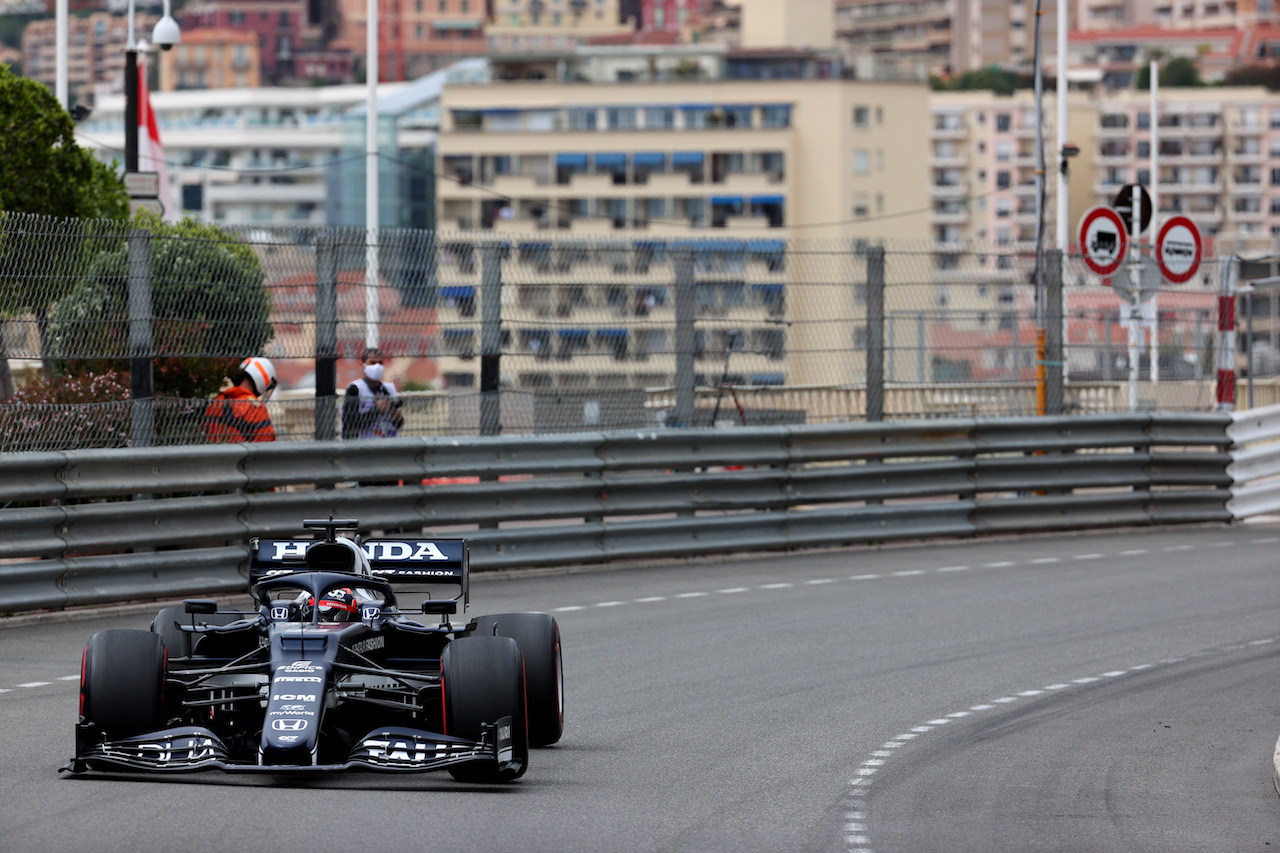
327	673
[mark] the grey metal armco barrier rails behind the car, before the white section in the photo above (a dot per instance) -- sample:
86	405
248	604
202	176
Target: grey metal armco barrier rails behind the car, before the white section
88	527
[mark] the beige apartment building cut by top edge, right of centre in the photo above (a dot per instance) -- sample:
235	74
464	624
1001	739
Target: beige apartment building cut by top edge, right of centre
920	38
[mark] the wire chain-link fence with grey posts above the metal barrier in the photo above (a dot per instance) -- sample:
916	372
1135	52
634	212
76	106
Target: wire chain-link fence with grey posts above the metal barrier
577	334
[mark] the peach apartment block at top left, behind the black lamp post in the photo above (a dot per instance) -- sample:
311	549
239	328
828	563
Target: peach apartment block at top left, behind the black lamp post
95	52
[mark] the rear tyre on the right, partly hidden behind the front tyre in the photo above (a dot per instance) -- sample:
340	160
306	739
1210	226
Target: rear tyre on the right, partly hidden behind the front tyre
538	636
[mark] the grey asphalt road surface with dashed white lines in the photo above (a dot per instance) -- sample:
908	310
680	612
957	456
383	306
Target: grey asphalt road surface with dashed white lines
1087	692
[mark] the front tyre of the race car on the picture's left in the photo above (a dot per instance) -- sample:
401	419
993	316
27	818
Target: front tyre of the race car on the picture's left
122	683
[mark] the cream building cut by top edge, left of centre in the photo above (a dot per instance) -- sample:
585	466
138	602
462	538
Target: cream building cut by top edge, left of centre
554	25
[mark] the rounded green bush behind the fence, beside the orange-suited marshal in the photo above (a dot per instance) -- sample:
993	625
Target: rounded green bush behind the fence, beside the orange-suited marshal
211	305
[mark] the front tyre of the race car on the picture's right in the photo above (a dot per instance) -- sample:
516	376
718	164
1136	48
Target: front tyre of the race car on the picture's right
483	679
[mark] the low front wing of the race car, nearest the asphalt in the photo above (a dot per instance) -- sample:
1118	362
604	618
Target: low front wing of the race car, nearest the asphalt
193	749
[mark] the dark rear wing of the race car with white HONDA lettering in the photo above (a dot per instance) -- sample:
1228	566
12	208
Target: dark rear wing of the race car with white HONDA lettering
400	562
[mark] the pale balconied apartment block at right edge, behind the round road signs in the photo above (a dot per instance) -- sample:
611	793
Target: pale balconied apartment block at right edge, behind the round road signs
1219	159
